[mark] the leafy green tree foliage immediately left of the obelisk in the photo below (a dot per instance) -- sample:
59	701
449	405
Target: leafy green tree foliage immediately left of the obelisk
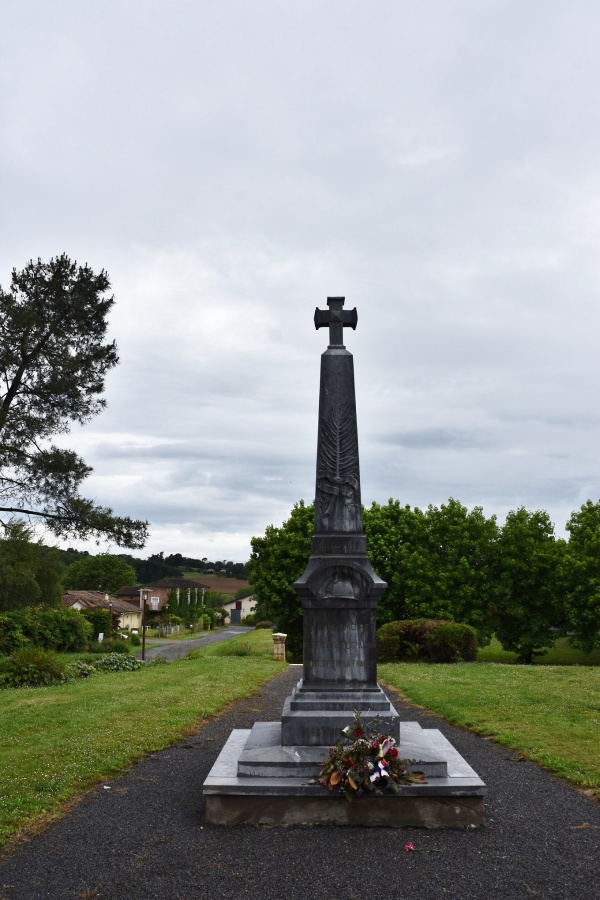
278	559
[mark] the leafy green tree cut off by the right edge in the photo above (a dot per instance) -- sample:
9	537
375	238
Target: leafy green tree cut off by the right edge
581	576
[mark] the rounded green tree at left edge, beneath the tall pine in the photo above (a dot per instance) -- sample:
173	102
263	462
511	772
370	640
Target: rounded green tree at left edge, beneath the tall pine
29	572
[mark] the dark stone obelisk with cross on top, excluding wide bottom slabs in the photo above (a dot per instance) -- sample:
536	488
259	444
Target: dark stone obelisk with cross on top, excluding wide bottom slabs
339	590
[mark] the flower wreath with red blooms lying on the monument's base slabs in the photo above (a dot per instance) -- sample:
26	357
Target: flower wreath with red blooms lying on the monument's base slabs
366	762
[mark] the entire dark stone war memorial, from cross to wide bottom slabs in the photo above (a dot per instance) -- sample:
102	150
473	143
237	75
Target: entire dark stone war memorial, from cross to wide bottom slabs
269	774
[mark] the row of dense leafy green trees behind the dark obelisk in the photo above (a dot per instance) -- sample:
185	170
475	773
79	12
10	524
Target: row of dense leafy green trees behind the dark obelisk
449	562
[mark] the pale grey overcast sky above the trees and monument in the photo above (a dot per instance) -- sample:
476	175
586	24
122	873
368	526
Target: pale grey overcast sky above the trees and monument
231	164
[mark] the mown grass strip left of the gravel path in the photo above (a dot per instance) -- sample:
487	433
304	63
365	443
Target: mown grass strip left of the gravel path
57	741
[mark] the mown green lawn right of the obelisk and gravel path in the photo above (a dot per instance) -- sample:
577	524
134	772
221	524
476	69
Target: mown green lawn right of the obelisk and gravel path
551	714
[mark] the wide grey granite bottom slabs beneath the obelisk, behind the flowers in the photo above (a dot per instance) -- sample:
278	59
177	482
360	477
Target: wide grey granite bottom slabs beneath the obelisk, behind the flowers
256	780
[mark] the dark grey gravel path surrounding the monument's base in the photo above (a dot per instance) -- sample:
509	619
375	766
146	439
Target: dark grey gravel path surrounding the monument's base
145	837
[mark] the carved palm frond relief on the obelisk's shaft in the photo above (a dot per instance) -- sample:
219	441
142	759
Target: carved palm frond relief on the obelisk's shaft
337	506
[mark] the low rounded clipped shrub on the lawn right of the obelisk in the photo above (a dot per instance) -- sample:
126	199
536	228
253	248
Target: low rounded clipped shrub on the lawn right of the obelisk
428	640
